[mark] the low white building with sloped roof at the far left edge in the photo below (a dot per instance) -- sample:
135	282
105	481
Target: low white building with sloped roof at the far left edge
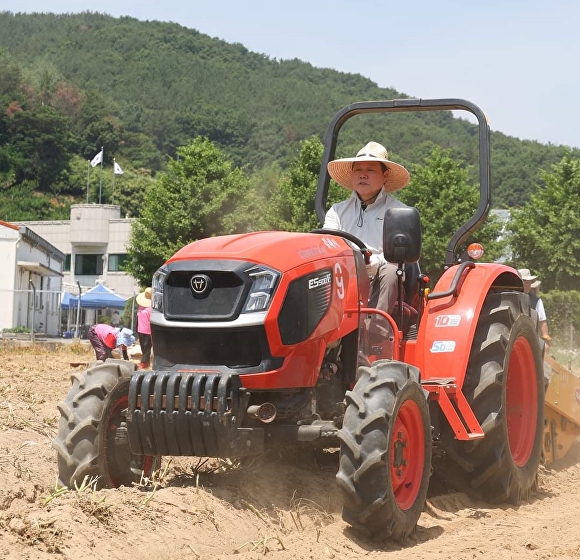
30	280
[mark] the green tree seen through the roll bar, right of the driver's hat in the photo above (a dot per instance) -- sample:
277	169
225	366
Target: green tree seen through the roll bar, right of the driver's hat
441	191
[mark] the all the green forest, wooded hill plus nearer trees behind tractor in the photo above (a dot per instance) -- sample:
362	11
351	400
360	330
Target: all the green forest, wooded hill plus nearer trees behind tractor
213	139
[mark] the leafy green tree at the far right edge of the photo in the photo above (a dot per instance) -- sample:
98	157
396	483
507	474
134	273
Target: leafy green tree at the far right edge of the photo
546	231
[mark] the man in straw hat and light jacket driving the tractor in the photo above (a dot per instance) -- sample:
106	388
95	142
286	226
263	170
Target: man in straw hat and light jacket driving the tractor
371	177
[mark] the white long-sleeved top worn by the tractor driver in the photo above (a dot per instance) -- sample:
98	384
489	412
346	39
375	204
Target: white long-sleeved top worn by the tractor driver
348	214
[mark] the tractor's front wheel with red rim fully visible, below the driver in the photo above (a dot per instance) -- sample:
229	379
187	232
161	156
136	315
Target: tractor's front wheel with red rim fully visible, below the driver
385	451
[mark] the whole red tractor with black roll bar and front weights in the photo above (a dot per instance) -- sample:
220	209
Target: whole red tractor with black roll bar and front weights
266	338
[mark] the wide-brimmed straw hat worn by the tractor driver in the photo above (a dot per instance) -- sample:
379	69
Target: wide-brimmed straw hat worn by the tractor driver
397	176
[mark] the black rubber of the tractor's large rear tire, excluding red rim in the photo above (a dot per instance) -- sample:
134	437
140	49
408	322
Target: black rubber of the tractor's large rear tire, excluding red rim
485	468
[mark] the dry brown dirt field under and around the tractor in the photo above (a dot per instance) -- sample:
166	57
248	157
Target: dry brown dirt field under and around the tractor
272	507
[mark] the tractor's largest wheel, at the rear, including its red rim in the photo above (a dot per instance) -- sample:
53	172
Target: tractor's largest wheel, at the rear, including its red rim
504	385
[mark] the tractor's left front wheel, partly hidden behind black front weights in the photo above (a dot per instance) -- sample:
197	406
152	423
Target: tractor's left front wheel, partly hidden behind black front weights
90	415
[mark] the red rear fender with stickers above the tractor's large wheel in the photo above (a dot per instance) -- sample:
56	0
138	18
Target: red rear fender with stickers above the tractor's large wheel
447	328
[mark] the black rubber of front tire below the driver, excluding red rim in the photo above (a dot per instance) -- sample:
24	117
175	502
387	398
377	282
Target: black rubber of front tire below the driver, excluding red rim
364	472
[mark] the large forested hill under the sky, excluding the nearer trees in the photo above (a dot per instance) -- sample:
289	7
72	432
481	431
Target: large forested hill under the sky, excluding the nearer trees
72	83
